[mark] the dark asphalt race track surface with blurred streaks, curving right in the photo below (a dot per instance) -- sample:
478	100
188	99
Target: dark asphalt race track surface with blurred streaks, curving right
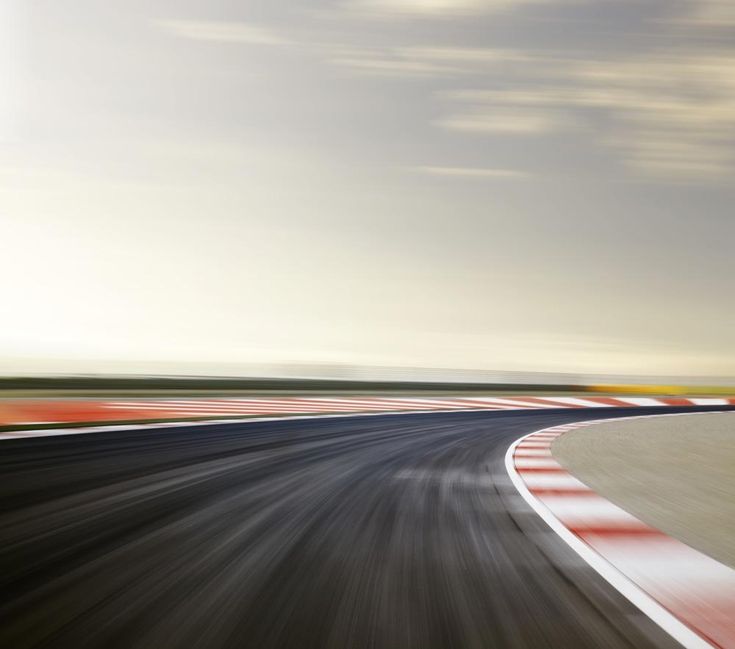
395	532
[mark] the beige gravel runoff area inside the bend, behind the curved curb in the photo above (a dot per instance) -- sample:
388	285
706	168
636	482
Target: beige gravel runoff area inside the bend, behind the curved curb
675	473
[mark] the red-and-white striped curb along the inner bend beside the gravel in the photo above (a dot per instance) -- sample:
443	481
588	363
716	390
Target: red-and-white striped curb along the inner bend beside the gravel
687	593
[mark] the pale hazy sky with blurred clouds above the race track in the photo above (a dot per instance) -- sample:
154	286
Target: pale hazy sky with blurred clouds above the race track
521	185
